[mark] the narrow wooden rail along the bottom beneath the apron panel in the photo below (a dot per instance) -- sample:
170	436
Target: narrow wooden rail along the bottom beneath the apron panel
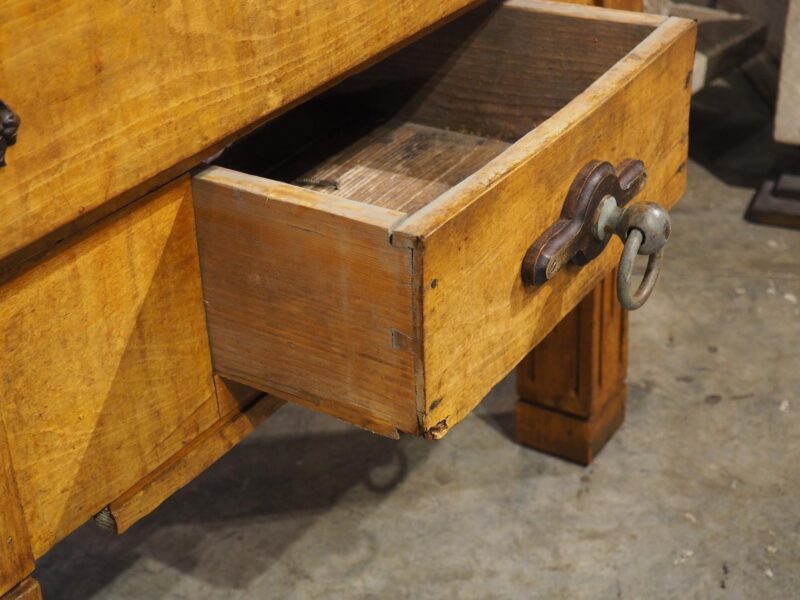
190	462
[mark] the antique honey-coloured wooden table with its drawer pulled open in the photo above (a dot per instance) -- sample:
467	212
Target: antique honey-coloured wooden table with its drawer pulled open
412	195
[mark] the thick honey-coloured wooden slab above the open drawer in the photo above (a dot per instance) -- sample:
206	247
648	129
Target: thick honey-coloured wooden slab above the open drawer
116	98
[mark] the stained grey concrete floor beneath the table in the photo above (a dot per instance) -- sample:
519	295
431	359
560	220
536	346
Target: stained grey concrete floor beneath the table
696	496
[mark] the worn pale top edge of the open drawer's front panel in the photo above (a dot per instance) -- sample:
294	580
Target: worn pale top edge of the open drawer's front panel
422	224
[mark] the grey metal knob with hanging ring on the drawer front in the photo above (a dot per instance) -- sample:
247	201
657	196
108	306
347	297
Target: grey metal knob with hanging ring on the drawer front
645	229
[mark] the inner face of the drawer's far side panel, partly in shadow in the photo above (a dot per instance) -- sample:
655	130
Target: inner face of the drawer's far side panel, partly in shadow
498	71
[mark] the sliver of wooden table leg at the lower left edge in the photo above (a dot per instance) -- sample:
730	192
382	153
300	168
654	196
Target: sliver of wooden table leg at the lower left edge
16	558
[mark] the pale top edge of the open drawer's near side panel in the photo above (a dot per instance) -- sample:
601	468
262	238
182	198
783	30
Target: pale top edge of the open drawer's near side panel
279	191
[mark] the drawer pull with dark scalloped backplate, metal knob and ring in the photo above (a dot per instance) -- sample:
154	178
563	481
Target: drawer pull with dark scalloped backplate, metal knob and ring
596	207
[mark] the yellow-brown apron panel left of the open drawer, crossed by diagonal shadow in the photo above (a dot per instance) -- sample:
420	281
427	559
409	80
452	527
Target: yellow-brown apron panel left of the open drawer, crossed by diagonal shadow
106	365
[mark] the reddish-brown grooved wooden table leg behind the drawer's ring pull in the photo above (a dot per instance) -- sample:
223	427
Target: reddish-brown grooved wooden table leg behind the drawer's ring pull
572	385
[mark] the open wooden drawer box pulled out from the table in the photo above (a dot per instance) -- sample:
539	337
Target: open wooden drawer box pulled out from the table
361	254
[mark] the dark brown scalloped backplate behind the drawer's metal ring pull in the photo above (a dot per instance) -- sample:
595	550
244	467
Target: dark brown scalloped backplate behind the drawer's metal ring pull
572	238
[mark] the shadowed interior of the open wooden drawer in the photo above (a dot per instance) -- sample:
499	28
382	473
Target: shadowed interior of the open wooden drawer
410	127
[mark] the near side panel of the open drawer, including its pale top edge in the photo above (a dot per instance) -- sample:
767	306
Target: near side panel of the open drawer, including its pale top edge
306	298
